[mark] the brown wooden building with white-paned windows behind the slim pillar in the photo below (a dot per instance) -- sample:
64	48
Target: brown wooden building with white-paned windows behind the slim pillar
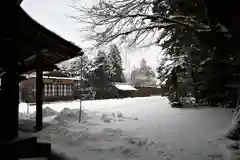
57	86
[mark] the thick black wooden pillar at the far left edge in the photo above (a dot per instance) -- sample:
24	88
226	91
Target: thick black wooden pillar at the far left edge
9	106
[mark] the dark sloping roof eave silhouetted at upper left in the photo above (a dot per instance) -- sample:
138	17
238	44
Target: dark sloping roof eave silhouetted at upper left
28	38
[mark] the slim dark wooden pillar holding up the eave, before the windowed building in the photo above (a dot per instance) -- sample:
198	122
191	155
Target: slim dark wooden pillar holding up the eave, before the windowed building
39	91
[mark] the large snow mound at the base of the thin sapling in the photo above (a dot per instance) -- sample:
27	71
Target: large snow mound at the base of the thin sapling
69	115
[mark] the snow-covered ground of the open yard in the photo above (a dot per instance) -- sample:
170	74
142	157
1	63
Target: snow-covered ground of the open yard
136	128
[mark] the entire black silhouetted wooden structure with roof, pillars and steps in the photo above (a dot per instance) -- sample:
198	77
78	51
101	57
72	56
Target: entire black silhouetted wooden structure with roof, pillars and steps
26	46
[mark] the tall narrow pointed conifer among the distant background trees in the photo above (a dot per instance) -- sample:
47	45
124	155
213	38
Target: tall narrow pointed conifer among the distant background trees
115	60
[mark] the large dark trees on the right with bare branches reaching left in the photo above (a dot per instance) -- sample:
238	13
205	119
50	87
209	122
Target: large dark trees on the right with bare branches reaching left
198	39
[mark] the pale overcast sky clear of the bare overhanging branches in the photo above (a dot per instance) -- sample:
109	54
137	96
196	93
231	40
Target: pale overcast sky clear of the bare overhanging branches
53	15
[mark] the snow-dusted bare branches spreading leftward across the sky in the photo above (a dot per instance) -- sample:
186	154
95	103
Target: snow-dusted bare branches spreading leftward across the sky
129	21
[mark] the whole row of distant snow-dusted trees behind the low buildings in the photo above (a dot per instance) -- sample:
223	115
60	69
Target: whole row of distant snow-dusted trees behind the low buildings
107	68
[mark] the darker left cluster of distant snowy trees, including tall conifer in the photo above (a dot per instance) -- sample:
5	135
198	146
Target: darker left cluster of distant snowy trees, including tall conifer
101	71
